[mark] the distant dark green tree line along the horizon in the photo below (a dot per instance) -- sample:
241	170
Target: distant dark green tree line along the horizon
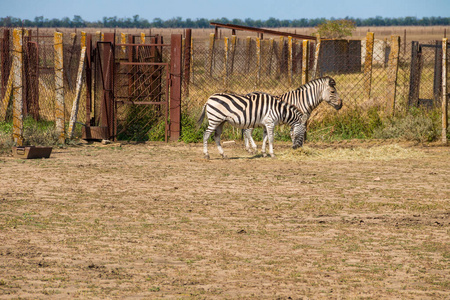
178	22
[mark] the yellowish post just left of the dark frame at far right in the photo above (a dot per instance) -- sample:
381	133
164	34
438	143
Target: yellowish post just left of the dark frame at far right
392	73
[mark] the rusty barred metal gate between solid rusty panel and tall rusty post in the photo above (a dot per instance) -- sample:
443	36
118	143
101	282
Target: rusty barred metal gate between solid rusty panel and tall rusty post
141	89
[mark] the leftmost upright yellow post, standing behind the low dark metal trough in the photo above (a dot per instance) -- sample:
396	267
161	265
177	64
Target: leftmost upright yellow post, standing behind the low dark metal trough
17	61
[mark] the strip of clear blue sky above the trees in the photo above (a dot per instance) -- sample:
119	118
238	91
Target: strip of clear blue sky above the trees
94	10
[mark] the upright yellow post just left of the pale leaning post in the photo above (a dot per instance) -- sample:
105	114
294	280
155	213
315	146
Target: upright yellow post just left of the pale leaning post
59	87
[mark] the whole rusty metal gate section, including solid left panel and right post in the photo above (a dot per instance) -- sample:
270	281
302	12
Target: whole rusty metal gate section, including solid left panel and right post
133	89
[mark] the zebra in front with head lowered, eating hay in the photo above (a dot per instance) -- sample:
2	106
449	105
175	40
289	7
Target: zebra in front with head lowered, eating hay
245	112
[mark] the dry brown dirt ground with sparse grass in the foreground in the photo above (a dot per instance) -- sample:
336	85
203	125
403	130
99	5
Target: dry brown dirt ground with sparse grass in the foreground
346	220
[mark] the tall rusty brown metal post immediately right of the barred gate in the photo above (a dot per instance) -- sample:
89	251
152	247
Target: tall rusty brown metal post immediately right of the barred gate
175	95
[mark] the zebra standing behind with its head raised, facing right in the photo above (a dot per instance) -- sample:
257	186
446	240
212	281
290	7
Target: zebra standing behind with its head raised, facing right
306	99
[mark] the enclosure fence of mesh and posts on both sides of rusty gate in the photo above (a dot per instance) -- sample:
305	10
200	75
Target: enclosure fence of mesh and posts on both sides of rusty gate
41	76
